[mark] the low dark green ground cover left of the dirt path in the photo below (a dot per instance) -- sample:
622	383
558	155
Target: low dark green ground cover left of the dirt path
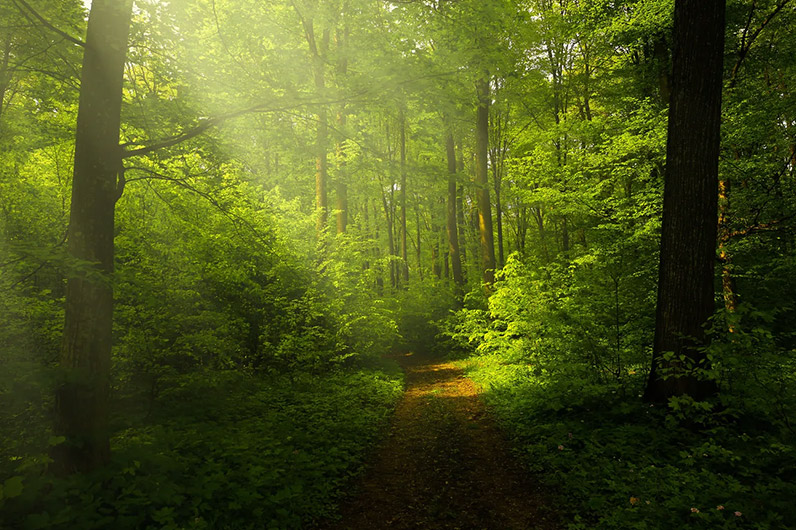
218	450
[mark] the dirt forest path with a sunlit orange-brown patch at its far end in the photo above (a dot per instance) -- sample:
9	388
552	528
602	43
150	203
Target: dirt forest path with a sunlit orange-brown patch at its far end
444	464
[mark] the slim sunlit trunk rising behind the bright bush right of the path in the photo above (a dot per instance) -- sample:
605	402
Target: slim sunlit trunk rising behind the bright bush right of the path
482	184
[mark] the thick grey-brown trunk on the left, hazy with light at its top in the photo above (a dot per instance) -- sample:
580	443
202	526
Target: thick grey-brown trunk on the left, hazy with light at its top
81	400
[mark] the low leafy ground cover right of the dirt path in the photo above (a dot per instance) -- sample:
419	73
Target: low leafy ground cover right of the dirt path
619	463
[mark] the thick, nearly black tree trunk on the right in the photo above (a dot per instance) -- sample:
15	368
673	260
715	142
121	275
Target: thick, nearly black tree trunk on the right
690	202
